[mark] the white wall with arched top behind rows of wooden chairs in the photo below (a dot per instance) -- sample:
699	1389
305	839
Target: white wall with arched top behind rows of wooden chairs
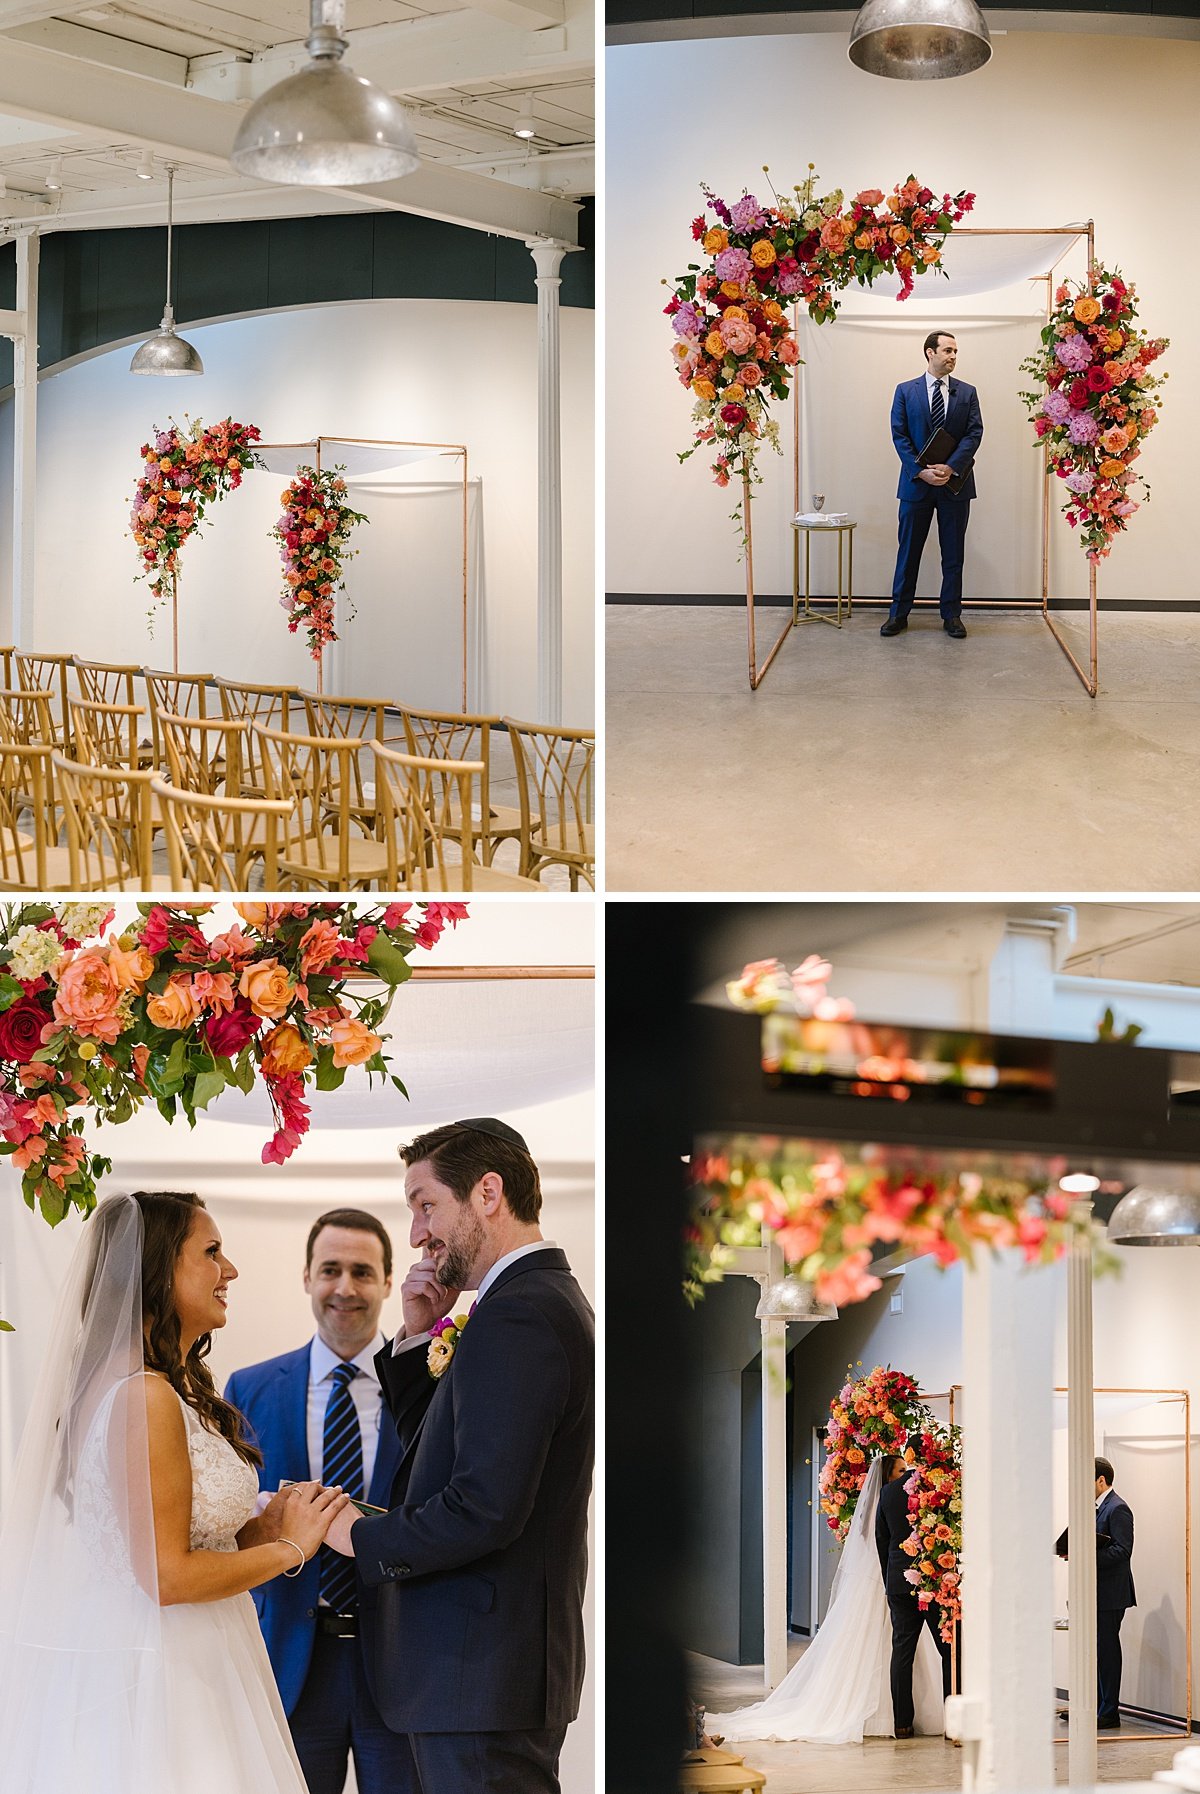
421	370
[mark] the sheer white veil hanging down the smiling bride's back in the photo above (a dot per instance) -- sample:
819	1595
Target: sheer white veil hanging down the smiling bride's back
82	1666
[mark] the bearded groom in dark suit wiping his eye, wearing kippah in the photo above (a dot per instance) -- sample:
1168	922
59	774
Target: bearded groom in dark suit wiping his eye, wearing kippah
473	1585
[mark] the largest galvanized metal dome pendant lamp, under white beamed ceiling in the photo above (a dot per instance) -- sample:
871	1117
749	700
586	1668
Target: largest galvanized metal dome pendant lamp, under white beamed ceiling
326	126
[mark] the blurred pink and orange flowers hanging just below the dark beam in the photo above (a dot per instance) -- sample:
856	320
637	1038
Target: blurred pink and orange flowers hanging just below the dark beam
828	1208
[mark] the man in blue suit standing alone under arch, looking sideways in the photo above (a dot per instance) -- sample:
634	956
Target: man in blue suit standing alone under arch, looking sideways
934	401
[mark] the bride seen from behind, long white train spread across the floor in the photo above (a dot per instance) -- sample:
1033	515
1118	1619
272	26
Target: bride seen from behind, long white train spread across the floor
840	1691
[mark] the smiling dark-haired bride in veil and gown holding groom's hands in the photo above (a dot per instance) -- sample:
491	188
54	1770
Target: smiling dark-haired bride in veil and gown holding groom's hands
130	1650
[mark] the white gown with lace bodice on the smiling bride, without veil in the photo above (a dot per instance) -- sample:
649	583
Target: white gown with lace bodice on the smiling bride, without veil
223	1729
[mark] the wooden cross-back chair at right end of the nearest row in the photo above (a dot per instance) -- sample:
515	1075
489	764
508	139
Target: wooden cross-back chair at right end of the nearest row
428	808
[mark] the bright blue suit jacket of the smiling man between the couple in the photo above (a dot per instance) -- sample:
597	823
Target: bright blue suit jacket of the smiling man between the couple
275	1400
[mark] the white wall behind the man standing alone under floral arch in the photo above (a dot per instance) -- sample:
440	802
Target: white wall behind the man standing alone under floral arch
720	110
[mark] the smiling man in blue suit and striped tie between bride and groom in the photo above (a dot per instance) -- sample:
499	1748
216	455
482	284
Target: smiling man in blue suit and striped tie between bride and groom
315	1415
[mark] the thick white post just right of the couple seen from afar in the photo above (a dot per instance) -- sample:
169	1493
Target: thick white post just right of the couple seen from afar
1009	1522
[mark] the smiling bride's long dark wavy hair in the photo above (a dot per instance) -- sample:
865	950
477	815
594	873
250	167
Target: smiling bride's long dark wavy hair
168	1219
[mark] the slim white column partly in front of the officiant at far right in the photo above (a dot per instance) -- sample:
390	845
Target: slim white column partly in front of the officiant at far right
1081	1517
